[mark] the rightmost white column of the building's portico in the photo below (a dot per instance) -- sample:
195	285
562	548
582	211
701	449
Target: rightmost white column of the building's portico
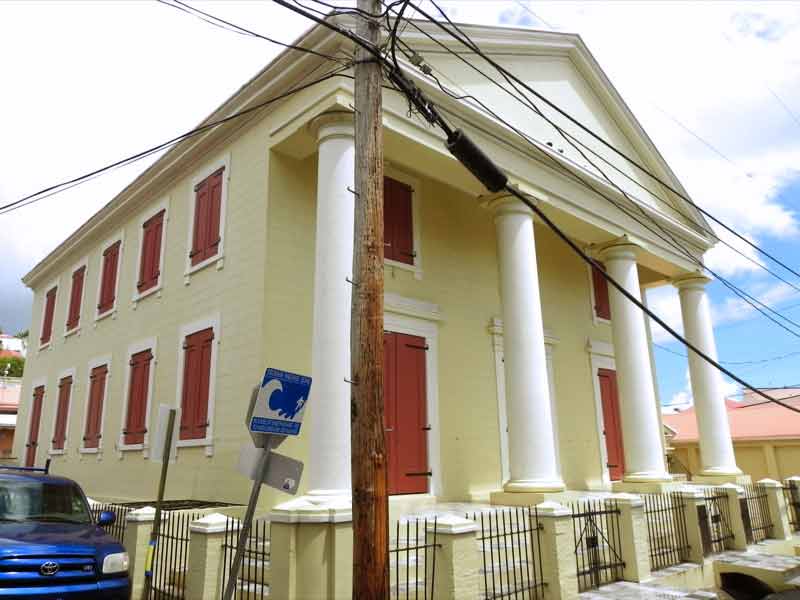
716	447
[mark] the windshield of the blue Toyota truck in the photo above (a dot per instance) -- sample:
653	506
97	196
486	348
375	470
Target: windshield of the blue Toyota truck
27	500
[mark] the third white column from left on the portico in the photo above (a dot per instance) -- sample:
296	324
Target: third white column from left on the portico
641	426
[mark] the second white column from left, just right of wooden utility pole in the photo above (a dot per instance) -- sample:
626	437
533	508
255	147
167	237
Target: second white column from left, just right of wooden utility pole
532	445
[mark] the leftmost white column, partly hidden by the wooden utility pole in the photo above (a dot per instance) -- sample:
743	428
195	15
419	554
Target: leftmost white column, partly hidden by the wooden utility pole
329	404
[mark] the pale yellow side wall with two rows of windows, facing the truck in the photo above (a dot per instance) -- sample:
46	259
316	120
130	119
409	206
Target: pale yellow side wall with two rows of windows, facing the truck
235	291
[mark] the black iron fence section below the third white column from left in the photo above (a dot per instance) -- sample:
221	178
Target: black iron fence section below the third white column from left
666	529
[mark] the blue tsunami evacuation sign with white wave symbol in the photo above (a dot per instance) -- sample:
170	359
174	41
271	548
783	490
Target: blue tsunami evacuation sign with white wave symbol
280	403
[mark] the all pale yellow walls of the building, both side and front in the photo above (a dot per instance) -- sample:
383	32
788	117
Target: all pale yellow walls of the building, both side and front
264	294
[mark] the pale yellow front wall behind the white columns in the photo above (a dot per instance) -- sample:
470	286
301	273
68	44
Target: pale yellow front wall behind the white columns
459	263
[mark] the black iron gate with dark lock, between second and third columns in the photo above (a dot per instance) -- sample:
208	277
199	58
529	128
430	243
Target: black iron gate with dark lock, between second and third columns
598	542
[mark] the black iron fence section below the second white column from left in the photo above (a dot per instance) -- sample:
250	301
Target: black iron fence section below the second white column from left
510	546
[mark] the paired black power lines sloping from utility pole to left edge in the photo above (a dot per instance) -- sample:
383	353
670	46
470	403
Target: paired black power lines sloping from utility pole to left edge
50	190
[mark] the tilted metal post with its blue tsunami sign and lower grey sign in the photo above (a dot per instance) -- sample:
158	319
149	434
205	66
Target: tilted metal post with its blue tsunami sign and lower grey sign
276	410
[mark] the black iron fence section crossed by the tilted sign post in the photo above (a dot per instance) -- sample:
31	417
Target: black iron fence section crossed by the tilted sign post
252	583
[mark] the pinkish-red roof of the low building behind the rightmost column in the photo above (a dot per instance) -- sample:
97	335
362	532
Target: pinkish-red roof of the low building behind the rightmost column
749	420
